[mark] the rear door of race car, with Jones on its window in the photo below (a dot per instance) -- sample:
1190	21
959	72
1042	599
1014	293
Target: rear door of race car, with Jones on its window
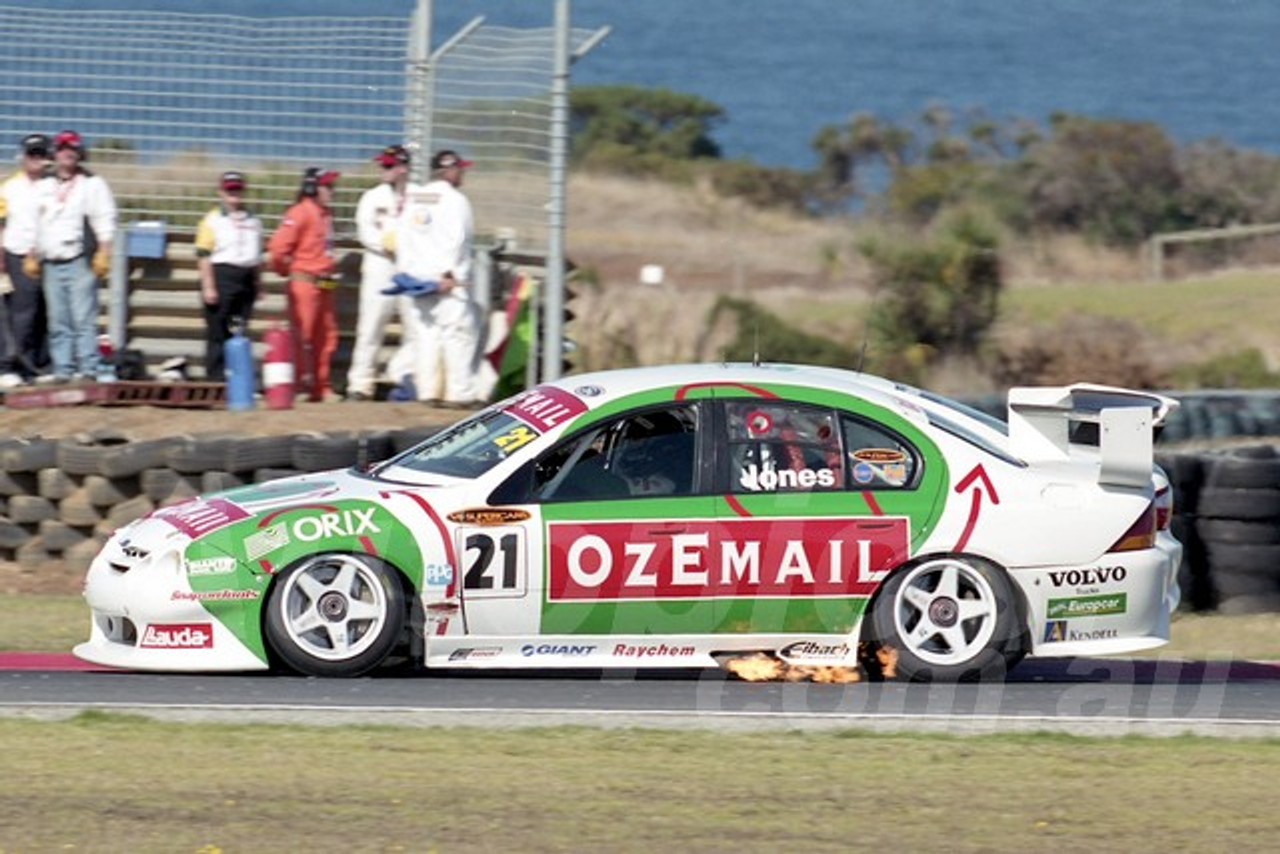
820	505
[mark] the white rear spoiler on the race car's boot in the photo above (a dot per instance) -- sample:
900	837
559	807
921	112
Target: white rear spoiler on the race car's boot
1045	421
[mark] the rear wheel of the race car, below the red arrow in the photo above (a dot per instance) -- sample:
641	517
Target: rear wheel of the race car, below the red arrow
950	619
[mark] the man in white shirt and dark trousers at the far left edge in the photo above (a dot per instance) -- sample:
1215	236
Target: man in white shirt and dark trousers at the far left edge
28	353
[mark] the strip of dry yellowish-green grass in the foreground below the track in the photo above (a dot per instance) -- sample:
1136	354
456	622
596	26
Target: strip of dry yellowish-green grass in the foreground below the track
117	784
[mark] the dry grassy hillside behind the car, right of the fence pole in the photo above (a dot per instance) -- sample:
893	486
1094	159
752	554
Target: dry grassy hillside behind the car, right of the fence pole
1062	293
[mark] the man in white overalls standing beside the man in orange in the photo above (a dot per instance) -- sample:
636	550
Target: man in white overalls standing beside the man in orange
376	214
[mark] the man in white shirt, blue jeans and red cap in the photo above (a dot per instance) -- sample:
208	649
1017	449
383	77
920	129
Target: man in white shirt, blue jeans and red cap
74	259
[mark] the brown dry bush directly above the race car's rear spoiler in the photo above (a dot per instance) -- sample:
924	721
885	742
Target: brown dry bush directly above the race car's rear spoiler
1081	349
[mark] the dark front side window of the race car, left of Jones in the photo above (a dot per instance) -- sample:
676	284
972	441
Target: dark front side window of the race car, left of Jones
646	454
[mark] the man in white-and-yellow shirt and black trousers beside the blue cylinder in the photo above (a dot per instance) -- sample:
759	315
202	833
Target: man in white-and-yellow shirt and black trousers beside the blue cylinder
230	257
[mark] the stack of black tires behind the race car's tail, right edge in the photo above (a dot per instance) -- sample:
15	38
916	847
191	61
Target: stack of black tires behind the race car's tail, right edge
1238	523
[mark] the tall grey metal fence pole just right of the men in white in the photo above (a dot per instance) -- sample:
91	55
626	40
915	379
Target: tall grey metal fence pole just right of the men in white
554	300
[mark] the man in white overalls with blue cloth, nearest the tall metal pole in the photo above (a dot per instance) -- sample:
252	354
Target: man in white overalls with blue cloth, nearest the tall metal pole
433	243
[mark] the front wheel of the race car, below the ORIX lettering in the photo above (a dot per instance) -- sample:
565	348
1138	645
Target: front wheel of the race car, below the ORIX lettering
336	615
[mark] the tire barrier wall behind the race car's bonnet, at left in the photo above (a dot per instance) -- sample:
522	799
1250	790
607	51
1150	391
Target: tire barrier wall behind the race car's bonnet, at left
62	499
